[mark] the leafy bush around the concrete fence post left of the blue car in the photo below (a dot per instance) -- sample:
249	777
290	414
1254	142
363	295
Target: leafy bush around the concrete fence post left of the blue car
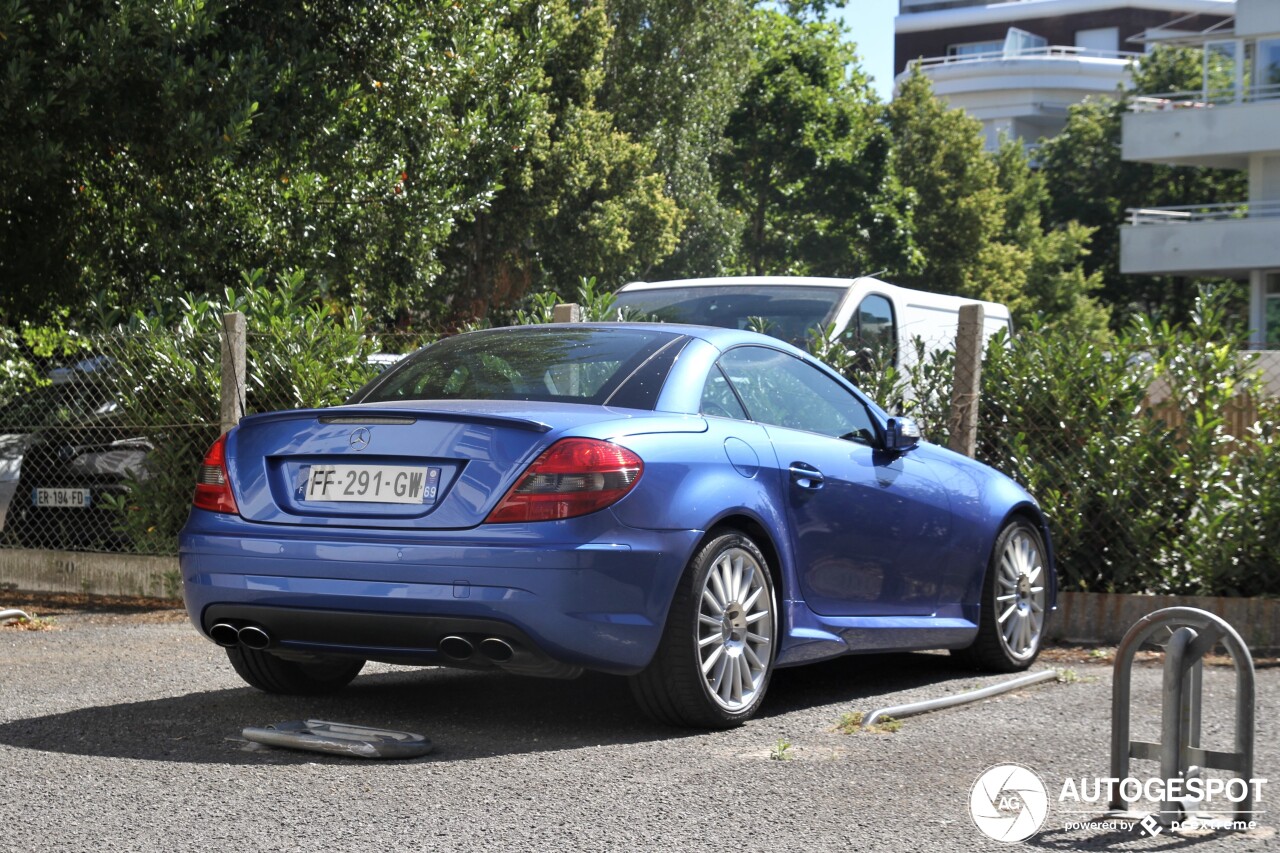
168	376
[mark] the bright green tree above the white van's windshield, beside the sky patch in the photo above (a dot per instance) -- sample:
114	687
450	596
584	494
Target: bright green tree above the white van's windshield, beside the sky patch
808	162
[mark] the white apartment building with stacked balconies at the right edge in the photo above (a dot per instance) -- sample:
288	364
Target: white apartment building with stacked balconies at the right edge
1232	122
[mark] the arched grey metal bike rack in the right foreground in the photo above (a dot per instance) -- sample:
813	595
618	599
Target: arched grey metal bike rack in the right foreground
1192	635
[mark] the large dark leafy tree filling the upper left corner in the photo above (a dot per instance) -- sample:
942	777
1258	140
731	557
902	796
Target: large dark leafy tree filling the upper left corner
170	147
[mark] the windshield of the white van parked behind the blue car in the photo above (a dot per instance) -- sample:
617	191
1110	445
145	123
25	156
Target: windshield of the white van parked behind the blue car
788	312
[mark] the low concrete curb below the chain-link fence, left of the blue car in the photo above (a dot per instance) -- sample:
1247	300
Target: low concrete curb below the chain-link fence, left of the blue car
100	574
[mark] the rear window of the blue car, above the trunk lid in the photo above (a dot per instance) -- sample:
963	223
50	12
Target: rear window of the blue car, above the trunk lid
619	367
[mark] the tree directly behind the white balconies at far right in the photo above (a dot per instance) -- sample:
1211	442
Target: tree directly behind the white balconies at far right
1092	185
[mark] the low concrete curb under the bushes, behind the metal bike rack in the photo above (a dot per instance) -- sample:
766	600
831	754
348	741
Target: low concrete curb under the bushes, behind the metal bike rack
1103	619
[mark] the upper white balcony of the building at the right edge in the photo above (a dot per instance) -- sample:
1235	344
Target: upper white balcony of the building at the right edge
1191	129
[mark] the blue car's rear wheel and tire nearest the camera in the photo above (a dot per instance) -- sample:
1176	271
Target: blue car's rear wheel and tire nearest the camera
716	655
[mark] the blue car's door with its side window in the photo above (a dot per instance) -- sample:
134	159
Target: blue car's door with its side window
870	530
